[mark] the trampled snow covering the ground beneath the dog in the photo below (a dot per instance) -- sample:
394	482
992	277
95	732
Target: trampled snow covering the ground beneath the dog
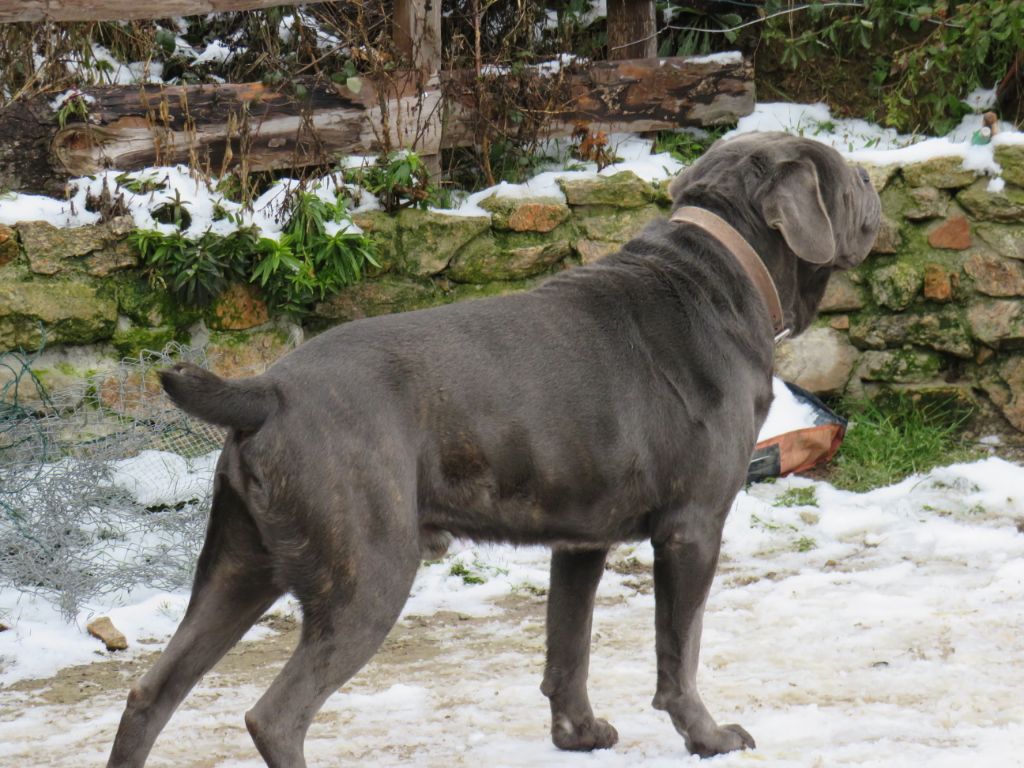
878	629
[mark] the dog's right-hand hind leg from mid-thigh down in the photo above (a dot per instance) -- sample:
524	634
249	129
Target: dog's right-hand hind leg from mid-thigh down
349	607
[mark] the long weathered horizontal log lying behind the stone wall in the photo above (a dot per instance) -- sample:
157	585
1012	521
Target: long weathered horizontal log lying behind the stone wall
257	127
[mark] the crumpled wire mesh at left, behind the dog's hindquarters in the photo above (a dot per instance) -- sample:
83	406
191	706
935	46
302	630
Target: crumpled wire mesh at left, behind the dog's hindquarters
102	489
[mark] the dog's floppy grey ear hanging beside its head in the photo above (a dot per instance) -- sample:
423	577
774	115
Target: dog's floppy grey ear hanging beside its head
793	205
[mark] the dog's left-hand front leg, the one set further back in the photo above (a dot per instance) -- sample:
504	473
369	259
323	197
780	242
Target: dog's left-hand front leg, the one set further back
575	576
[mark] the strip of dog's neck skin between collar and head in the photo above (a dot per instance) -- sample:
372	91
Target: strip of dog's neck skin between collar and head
800	285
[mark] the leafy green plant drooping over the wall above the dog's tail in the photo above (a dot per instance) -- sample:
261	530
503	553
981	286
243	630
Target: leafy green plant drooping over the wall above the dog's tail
315	258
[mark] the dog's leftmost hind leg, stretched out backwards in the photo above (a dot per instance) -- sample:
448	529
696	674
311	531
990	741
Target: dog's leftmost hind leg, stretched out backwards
233	588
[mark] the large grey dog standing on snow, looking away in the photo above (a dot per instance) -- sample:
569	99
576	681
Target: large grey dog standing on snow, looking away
617	402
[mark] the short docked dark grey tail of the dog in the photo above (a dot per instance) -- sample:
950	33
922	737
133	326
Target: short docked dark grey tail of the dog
243	404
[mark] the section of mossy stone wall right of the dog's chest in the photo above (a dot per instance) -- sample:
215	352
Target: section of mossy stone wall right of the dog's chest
937	310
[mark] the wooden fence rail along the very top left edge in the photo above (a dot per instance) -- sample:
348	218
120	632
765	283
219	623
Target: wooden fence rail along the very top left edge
115	11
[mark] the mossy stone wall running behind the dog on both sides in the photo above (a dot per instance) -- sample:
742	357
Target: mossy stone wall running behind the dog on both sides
936	311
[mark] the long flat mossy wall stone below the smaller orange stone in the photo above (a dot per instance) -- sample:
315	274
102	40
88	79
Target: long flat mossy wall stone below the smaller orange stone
943	330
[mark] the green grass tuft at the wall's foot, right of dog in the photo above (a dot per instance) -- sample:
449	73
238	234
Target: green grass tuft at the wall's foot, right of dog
890	440
